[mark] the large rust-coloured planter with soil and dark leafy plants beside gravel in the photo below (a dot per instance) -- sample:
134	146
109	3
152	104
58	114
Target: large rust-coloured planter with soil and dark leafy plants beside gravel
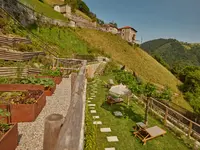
24	106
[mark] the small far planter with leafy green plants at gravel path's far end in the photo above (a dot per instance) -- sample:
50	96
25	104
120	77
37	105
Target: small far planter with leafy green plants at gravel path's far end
56	75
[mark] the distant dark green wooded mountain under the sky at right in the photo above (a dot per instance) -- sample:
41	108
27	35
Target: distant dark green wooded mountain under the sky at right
174	52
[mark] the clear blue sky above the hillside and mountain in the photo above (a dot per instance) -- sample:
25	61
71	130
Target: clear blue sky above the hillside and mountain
153	19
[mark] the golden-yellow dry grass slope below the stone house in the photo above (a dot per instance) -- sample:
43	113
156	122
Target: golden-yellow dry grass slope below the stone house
135	59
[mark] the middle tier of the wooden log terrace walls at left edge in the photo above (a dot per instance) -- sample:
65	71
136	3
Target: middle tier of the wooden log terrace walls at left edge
17	56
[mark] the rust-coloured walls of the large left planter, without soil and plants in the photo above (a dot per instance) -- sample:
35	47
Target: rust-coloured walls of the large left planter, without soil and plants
23	112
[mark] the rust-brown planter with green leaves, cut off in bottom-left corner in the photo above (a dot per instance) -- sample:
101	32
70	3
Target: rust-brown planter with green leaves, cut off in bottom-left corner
8	134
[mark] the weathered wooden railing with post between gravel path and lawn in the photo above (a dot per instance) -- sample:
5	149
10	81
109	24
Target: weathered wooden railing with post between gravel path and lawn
71	132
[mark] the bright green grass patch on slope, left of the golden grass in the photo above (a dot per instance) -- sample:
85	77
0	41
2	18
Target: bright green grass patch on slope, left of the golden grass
64	40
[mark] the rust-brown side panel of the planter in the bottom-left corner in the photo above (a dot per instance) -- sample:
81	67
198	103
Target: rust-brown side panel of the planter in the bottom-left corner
9	140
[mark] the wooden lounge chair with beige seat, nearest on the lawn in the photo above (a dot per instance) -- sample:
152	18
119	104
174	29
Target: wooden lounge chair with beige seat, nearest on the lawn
149	133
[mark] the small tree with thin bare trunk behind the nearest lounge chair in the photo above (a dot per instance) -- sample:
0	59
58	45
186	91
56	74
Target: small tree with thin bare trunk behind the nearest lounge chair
149	91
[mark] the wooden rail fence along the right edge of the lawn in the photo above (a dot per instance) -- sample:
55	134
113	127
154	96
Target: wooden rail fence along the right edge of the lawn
170	115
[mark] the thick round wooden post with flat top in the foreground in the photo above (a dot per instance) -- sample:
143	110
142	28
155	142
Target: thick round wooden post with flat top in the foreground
51	131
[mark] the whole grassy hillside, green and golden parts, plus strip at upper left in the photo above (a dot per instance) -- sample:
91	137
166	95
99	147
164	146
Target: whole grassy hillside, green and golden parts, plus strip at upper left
70	41
